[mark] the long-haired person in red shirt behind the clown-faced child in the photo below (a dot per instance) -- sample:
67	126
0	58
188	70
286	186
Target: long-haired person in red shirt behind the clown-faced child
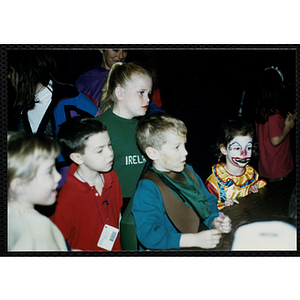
273	124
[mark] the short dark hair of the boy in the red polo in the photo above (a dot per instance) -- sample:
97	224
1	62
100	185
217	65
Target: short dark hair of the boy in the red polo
73	134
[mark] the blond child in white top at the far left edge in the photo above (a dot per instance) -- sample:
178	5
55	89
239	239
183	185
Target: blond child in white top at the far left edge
32	179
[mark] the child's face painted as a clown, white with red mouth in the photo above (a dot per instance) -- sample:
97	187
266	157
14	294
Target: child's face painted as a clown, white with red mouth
239	151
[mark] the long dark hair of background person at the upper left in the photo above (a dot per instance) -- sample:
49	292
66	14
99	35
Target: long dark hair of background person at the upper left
28	68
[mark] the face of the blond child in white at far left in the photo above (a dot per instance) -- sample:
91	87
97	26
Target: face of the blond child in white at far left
42	188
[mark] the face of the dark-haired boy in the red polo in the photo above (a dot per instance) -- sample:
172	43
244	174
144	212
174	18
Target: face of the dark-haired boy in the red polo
98	154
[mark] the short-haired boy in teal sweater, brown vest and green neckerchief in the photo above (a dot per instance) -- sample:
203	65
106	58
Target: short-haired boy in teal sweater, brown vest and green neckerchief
162	138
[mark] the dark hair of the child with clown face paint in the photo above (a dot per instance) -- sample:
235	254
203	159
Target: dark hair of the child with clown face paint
230	130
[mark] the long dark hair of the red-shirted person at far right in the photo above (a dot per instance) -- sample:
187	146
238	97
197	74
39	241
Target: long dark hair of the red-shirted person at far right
271	95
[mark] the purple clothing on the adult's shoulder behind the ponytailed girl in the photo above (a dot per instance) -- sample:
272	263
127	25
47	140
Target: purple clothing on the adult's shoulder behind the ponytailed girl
91	83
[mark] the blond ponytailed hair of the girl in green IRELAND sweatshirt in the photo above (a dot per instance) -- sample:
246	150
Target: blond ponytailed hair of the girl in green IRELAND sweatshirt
119	75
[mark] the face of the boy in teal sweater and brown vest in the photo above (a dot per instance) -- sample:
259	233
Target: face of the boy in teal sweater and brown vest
172	155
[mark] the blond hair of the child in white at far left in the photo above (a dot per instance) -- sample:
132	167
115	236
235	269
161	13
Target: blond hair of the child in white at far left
25	152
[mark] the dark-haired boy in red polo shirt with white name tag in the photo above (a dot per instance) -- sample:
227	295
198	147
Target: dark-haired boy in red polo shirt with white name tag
89	203
